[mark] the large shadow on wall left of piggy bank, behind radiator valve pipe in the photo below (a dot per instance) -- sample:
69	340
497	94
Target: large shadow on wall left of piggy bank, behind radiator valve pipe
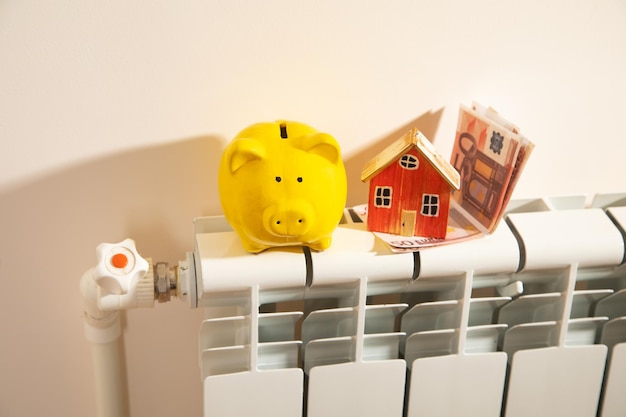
49	229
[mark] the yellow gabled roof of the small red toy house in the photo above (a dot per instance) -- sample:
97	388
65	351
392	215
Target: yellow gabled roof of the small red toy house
412	138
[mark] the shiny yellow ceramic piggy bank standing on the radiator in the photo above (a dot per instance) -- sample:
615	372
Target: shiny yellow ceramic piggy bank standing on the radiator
282	184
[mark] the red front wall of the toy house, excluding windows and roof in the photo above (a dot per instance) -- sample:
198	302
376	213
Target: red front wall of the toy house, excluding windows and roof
408	187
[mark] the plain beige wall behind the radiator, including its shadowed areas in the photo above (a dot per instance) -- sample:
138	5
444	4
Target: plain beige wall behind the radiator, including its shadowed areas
113	116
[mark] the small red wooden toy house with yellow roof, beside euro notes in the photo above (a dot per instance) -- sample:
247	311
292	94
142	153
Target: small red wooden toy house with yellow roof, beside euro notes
410	186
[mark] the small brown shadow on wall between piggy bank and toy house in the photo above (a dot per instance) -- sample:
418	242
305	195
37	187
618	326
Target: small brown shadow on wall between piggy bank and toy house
428	123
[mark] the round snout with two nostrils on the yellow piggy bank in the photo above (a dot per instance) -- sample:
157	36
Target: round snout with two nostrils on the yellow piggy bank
288	221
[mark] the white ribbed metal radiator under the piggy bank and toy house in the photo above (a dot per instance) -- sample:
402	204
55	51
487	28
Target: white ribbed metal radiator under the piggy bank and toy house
529	321
